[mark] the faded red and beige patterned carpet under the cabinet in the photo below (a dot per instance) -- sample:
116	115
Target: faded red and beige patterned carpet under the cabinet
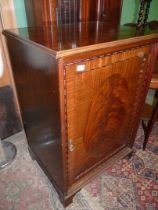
128	185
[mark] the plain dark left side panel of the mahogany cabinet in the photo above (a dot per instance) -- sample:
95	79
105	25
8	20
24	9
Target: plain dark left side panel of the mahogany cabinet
36	77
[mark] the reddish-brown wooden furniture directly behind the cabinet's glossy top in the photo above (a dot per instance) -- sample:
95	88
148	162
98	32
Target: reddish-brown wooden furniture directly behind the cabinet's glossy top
45	12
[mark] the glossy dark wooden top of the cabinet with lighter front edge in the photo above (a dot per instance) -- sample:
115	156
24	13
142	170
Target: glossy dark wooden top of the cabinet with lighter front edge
68	38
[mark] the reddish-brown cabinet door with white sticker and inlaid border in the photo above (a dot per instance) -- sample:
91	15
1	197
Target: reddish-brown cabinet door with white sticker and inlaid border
103	99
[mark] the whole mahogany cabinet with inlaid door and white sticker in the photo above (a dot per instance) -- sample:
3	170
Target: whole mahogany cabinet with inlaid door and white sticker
81	90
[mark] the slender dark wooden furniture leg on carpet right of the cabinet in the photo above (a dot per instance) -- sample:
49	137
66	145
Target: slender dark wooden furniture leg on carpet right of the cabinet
148	128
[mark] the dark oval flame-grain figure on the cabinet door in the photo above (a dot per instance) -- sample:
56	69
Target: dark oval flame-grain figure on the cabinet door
107	111
